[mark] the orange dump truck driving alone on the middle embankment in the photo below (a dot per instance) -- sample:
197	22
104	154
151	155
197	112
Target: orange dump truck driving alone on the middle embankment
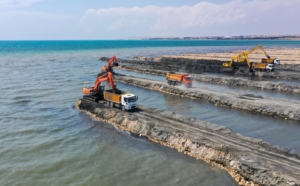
179	79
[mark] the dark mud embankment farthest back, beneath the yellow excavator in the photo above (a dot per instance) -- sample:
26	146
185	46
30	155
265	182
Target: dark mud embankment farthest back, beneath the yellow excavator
211	66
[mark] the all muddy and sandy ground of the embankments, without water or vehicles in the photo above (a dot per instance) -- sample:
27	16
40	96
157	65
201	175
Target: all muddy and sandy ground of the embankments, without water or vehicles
250	161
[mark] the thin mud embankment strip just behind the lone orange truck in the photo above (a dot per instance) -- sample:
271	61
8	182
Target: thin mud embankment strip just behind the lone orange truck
223	80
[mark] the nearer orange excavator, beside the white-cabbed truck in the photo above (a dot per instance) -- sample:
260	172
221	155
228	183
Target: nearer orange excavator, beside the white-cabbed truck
96	92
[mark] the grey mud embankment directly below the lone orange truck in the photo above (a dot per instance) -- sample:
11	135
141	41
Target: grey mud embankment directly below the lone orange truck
288	109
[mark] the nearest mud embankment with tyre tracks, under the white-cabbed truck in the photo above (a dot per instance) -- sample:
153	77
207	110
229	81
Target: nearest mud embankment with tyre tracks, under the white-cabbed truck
249	161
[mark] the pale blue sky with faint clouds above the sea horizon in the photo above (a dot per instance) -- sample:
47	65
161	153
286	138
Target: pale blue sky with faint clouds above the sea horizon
116	19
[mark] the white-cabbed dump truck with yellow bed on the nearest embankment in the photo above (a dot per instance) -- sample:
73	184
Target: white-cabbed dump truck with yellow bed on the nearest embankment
124	100
